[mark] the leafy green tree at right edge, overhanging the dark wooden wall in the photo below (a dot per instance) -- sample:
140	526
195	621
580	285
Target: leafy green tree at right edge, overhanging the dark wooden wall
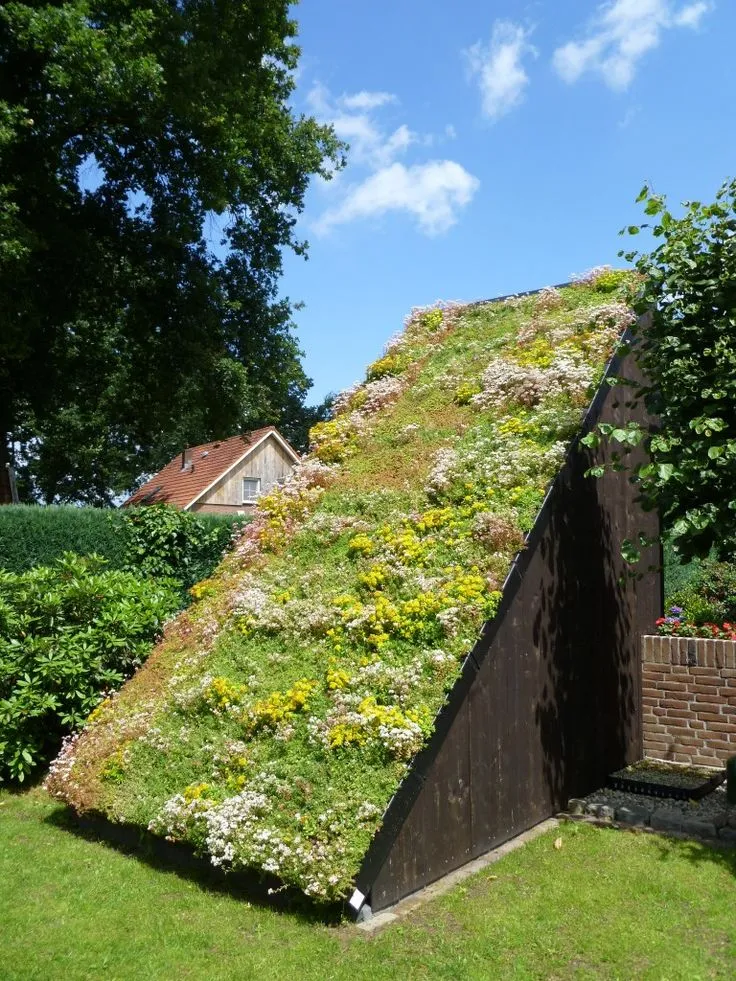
686	346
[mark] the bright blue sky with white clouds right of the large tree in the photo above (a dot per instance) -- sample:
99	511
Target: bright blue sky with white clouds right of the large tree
496	147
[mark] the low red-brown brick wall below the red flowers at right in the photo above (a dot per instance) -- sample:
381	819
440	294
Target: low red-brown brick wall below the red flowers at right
689	699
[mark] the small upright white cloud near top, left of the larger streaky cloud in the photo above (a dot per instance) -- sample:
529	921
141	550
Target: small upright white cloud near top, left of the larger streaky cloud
498	68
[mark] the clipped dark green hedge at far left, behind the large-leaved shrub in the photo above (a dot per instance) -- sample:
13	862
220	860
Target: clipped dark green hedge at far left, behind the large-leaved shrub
32	535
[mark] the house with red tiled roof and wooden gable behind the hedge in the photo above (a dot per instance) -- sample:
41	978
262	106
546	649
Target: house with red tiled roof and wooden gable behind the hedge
223	477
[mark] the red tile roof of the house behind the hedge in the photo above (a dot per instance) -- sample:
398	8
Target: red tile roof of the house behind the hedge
209	462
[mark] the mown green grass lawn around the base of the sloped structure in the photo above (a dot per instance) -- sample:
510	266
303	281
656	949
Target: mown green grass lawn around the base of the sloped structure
606	905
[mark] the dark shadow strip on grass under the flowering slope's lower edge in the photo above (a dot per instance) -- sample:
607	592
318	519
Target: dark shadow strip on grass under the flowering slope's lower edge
165	856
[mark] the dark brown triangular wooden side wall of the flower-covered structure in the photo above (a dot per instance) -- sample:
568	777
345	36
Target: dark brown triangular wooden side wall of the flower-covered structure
549	701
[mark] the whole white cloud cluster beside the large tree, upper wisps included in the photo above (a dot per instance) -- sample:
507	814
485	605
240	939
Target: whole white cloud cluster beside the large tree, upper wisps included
432	192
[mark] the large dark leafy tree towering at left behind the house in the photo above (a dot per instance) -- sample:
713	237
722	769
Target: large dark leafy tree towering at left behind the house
128	132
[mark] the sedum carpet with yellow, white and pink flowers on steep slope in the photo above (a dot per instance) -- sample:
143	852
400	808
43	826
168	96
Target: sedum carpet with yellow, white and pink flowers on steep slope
279	714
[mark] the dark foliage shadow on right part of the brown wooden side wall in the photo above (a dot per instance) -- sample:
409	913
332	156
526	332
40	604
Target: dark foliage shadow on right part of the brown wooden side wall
587	629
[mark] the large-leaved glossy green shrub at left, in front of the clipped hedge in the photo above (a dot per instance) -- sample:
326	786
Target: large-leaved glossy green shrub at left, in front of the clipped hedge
69	633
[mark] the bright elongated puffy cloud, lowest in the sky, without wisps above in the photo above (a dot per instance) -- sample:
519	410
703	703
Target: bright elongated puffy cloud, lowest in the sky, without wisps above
432	193
